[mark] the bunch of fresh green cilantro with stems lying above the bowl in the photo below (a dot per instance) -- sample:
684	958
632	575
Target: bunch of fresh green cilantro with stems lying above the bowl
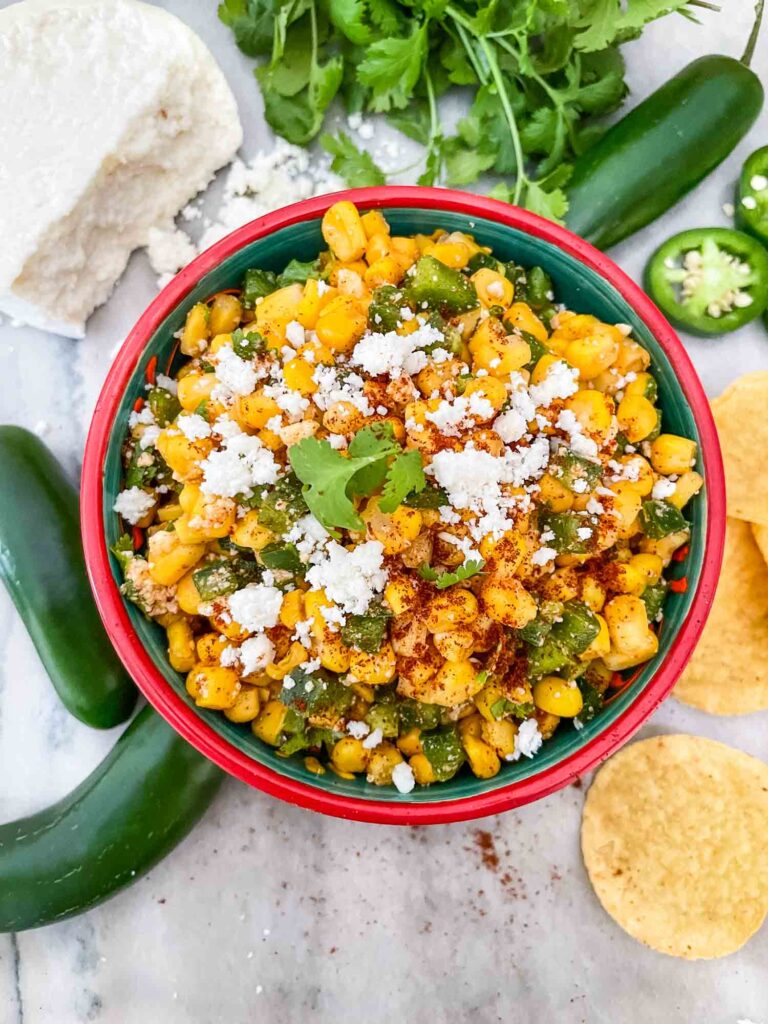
539	73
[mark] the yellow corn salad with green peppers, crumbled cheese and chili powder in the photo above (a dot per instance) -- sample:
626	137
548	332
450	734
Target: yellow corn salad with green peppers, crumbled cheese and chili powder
400	511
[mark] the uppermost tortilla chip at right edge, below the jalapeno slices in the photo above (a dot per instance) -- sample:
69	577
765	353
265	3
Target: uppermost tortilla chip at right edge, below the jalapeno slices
743	426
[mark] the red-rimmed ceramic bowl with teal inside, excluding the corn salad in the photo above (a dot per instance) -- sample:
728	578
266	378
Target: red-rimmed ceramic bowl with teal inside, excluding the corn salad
586	281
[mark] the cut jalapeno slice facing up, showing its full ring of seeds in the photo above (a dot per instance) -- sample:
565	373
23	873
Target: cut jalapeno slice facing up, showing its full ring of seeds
710	281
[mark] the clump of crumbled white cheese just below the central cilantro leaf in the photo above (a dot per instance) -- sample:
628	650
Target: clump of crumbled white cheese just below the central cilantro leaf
351	579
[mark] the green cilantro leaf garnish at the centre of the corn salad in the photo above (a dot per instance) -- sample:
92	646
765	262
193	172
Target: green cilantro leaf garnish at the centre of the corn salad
374	462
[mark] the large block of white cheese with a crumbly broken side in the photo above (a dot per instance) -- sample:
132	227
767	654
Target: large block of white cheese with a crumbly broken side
113	116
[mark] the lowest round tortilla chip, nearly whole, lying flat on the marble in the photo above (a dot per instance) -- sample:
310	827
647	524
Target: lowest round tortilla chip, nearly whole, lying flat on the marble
673	838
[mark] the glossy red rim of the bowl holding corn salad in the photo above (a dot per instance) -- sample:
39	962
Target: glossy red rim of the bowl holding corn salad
186	721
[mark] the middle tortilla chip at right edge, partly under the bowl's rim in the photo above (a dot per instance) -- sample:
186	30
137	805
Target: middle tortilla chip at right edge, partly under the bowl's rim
729	671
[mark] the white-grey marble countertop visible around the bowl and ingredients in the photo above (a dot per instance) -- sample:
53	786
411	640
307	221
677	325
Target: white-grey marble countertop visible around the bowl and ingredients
271	913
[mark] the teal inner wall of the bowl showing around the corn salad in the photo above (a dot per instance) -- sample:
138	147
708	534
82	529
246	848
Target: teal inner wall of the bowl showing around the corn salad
582	290
